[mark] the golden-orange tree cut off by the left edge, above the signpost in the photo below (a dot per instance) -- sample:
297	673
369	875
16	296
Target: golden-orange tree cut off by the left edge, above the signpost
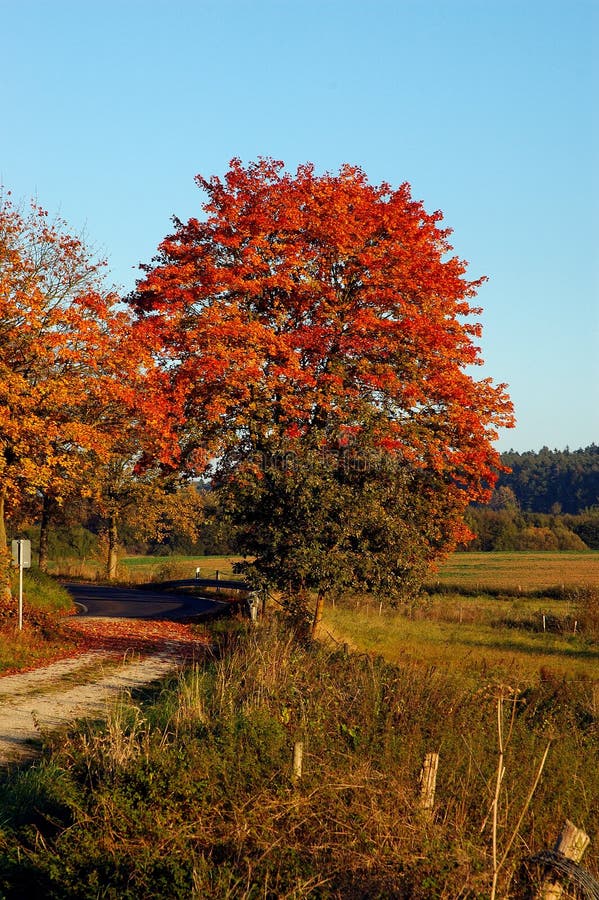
70	365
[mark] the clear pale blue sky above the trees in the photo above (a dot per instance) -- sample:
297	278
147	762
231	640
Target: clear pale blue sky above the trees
488	108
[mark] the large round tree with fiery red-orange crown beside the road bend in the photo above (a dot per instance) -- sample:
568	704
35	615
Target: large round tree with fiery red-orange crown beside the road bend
303	310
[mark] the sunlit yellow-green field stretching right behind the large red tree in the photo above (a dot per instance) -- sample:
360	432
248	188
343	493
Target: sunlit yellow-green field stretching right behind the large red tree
471	625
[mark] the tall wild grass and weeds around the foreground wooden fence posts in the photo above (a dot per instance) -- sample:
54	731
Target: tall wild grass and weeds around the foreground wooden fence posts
192	795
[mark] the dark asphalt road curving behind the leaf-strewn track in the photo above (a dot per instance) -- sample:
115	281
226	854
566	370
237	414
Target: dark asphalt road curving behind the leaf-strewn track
139	603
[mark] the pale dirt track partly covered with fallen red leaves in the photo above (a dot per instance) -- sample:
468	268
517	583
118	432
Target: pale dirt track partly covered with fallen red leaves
37	701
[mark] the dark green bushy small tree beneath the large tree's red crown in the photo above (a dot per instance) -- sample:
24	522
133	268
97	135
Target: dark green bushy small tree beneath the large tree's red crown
323	516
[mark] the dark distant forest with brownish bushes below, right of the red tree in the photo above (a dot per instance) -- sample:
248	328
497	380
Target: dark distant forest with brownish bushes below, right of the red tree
548	501
